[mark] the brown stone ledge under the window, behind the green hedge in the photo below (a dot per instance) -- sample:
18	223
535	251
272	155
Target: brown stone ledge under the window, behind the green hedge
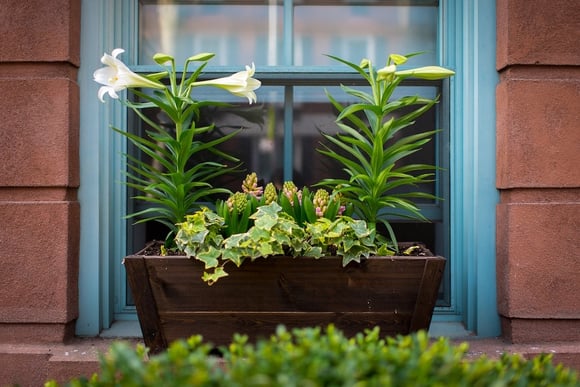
31	365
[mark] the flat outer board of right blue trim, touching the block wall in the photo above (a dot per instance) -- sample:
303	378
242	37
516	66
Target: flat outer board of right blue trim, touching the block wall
486	77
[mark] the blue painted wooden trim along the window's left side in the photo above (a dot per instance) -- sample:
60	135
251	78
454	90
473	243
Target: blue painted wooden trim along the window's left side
101	196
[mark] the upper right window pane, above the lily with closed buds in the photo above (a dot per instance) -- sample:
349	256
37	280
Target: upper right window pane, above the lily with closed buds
354	32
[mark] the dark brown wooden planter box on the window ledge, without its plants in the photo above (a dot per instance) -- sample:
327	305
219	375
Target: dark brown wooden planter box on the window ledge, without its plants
397	294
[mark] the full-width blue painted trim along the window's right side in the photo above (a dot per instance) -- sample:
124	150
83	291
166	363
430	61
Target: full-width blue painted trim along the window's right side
471	51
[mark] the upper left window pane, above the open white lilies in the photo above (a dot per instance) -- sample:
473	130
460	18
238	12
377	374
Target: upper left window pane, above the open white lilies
239	34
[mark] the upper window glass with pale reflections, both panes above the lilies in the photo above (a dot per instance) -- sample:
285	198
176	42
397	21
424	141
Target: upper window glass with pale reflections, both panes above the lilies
242	32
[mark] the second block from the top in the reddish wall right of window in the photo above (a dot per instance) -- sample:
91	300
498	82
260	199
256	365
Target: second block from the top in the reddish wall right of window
537	132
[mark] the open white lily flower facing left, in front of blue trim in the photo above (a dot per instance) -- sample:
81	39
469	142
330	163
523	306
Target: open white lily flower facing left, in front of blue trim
117	76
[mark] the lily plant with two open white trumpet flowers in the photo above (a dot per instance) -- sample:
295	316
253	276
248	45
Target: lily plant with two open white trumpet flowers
172	182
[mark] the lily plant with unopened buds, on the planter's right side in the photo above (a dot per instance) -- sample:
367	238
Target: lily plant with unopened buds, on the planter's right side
371	148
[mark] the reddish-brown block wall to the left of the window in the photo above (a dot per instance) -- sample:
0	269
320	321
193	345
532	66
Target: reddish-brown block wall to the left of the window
39	119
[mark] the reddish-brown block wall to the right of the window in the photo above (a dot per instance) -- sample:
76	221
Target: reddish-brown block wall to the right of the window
538	169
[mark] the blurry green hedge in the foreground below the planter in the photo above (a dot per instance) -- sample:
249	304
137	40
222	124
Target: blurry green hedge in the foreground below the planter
313	357
